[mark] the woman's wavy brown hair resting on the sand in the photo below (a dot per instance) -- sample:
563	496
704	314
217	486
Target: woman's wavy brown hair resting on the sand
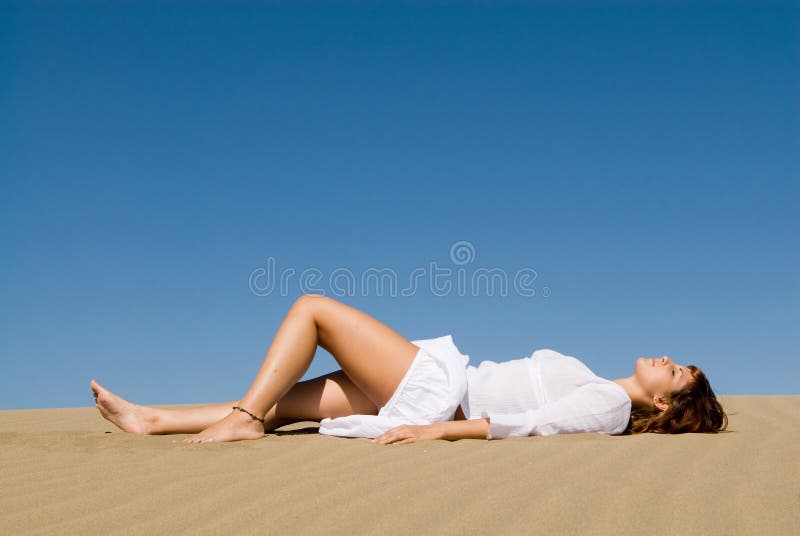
692	409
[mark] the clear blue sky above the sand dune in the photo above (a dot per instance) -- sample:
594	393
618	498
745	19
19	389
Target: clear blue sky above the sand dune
642	160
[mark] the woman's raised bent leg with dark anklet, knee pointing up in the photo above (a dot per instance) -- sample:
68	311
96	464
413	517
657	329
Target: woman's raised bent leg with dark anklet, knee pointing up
372	355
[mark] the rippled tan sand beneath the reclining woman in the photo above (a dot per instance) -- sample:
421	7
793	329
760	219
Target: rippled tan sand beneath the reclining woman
70	471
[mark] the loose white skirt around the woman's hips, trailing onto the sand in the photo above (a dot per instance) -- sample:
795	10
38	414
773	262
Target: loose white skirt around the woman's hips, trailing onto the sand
431	391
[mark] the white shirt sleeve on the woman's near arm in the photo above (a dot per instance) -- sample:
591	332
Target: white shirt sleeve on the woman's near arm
590	408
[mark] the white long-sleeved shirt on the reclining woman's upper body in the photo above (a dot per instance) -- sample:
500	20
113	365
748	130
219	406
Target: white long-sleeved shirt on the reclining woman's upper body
544	394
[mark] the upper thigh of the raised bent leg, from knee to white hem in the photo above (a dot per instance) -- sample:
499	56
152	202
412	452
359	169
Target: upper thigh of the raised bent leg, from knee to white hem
371	354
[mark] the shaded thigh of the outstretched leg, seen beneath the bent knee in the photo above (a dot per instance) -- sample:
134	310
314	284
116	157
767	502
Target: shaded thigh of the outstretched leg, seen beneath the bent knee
331	395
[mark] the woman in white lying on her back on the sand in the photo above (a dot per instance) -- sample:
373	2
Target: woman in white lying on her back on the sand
398	391
